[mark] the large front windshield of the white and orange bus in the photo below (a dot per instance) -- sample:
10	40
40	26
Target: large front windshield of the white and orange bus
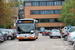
25	28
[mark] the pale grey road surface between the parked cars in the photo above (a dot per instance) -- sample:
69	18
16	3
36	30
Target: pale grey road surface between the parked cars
42	43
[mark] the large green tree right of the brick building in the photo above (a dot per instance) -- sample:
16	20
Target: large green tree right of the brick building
66	14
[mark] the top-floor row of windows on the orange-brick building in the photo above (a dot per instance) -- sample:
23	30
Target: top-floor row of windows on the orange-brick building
47	3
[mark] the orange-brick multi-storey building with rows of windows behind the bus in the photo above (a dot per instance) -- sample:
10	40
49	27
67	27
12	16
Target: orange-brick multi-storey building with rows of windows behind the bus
46	12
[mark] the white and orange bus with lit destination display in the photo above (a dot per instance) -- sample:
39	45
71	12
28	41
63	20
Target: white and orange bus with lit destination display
27	29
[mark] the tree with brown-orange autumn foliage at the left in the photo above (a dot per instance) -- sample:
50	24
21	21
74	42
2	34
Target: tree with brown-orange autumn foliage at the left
5	15
